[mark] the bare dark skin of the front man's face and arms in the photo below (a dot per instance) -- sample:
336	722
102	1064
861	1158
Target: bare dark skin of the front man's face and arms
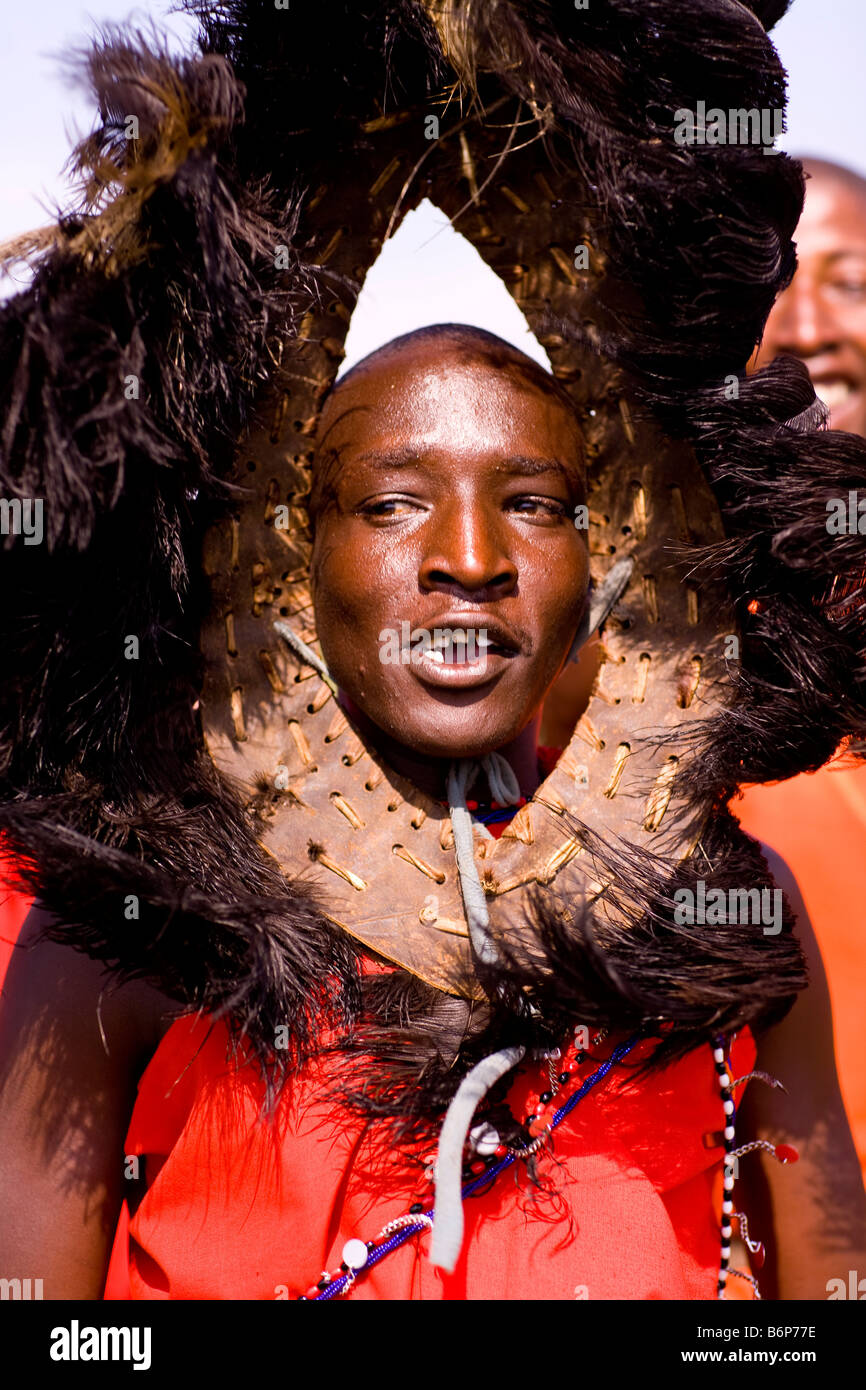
72	1054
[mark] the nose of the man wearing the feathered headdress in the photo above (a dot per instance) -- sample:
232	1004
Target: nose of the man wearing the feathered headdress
468	553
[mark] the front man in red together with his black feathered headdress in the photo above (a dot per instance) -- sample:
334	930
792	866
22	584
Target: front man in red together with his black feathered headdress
117	797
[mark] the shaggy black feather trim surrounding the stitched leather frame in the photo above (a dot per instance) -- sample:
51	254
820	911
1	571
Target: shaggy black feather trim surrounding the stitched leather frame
165	273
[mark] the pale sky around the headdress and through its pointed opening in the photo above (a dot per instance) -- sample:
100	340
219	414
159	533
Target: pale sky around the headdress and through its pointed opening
822	44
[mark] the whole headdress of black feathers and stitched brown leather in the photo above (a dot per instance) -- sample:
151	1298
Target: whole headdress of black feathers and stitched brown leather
165	751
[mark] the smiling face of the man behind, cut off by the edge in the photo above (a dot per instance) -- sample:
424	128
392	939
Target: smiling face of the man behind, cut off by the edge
822	316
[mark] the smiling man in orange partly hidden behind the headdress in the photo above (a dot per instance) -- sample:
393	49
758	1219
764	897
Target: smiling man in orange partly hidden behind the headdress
822	320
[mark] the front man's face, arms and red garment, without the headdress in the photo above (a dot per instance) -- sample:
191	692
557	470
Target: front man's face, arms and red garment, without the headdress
444	493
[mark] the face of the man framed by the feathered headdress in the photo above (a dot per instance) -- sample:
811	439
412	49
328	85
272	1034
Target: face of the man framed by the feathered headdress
447	493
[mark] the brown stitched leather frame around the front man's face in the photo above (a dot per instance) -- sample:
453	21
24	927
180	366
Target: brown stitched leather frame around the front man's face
383	851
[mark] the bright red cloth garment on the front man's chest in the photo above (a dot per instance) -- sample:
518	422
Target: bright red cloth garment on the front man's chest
234	1210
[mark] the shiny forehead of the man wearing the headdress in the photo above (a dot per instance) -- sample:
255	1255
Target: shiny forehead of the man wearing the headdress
437	389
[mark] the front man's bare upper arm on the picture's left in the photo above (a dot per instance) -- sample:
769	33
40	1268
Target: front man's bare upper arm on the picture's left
73	1050
